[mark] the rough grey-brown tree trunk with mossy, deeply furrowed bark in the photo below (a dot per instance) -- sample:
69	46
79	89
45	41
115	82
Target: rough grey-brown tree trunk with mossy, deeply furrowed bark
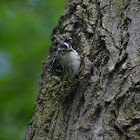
105	105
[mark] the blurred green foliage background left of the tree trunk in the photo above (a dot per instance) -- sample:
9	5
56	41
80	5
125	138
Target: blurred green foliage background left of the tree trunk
25	29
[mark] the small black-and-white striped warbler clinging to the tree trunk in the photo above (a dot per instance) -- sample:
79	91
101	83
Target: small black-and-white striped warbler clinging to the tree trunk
65	63
